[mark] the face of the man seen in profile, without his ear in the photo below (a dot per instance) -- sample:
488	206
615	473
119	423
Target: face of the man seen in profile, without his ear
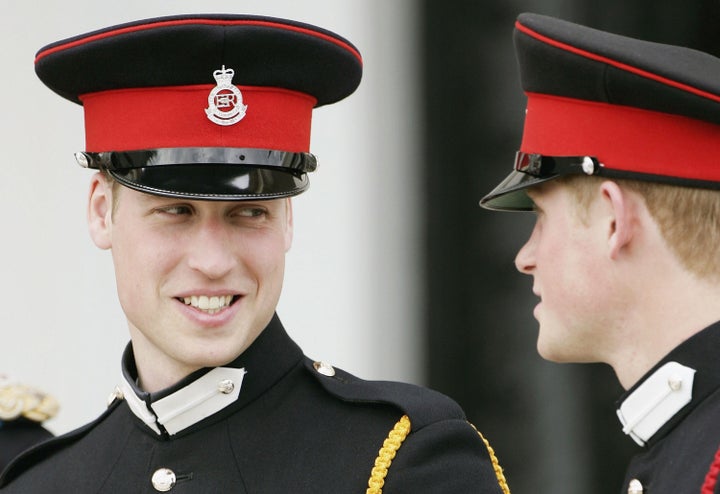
566	259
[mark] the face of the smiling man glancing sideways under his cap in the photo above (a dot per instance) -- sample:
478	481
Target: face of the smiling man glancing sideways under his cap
197	280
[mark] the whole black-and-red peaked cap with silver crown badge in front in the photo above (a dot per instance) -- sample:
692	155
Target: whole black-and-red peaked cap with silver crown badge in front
202	106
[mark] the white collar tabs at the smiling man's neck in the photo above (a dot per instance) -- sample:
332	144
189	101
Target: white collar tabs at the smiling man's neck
189	405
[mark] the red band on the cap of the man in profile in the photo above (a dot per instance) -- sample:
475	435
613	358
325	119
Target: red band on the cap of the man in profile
622	137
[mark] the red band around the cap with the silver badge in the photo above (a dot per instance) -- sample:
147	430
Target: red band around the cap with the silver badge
166	117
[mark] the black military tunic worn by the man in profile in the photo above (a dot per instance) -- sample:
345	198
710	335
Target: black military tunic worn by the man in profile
678	457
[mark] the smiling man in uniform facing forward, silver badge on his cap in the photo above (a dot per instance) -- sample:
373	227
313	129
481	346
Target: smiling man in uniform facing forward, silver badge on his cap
200	129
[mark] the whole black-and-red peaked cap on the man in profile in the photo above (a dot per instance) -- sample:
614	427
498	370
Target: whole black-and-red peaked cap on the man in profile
609	105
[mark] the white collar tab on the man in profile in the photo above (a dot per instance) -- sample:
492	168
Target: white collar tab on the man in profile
654	402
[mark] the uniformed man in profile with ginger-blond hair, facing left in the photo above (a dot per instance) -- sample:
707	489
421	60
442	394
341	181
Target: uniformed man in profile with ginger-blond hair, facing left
619	161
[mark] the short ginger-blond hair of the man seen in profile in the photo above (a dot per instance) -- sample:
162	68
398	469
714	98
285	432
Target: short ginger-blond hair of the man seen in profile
688	218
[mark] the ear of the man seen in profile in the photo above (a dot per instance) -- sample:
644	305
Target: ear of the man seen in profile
622	209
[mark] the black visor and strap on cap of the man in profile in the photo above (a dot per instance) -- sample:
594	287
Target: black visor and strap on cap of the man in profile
534	169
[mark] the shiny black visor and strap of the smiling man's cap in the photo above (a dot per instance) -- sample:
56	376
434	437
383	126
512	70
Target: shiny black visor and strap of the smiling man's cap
222	174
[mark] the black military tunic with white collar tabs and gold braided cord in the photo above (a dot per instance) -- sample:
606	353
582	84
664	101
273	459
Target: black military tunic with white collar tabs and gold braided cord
292	426
